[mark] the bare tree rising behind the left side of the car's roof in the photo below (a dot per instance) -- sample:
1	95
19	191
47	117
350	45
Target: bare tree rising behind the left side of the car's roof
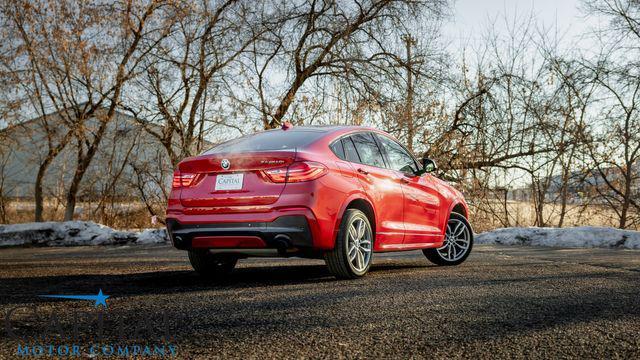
185	75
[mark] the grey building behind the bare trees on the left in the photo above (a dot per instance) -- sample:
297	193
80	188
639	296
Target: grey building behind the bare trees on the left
127	152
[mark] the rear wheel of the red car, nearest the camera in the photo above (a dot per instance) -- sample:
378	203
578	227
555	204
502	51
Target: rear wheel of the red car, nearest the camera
352	253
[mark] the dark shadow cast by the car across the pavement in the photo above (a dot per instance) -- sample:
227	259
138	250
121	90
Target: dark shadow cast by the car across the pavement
26	289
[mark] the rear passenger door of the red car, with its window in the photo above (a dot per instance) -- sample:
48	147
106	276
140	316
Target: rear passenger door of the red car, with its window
381	184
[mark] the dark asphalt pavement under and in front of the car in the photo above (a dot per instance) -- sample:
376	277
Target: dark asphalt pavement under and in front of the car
504	302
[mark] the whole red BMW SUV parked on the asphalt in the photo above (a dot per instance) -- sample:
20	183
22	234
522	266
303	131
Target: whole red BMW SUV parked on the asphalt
340	193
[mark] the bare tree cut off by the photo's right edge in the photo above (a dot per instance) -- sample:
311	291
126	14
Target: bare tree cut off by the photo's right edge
614	143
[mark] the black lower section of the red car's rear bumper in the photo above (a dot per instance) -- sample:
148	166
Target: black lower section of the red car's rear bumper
285	233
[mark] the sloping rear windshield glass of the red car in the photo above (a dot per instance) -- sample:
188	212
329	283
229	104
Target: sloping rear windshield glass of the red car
268	140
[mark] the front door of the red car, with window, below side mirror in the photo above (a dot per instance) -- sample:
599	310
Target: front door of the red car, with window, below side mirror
421	199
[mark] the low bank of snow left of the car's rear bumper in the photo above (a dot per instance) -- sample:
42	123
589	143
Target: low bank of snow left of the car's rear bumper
75	233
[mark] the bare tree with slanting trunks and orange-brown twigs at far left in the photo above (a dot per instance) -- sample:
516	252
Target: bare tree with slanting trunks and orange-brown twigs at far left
78	75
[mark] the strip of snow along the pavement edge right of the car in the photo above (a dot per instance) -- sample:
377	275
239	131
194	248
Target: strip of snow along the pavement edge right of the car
576	237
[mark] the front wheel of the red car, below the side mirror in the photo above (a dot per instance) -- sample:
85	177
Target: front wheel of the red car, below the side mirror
457	245
